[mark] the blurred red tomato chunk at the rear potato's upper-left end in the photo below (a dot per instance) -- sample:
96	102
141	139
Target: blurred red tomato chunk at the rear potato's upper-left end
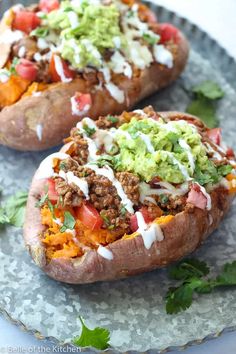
26	21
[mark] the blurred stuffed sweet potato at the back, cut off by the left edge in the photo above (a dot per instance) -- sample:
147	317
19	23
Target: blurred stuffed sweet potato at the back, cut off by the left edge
62	62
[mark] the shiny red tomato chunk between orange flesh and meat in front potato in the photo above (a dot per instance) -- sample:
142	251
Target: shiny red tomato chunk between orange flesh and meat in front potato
89	216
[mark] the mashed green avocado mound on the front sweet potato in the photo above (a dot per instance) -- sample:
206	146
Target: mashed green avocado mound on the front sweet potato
172	151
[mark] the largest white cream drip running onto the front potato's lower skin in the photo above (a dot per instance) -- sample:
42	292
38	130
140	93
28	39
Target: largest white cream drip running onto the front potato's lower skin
151	233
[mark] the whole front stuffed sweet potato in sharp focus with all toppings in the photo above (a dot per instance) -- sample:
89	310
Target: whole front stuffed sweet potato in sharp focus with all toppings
128	194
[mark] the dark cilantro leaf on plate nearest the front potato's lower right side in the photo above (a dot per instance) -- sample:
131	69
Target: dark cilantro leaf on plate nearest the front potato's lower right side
188	268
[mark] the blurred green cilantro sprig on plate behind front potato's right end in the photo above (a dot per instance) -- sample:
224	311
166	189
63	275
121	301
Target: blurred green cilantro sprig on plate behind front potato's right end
203	105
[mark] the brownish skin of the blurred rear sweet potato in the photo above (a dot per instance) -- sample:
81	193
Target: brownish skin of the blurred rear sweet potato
52	109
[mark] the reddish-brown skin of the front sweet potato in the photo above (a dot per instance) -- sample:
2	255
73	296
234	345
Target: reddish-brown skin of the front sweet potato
182	235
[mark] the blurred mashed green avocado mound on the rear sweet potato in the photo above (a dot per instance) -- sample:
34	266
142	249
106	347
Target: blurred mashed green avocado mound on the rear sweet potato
86	30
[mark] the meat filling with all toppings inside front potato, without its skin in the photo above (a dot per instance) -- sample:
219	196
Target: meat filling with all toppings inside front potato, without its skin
123	176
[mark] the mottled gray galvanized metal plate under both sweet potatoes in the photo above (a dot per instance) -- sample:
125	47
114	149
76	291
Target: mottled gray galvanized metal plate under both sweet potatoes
132	309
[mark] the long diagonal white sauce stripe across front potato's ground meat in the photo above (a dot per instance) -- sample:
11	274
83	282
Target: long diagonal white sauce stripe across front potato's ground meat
109	174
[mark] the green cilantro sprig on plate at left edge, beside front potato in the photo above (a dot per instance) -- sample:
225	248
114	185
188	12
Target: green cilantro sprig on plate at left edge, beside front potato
13	210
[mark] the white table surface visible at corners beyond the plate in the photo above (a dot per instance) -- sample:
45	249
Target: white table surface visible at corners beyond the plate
218	19
